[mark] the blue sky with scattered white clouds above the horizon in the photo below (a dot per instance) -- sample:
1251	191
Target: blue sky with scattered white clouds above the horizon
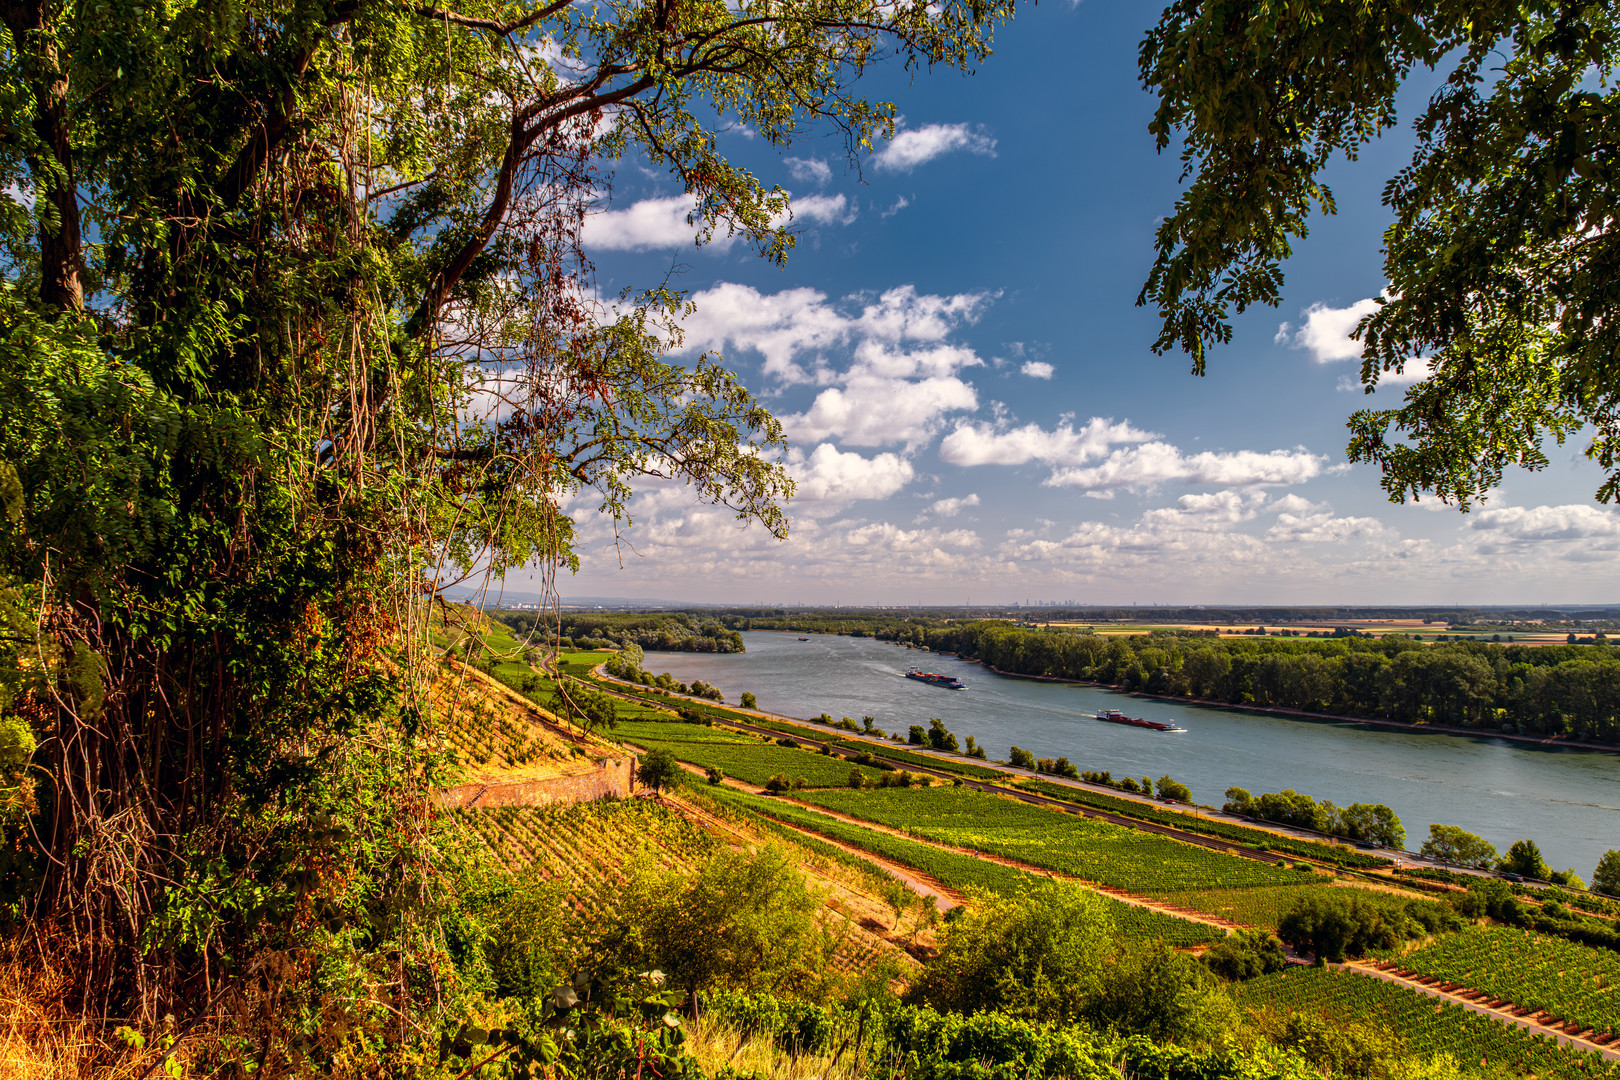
973	402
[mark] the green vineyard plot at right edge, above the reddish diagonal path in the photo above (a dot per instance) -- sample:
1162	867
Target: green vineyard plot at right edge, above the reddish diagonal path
1533	971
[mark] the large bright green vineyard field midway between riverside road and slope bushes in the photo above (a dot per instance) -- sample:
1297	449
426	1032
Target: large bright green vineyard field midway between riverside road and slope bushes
1094	851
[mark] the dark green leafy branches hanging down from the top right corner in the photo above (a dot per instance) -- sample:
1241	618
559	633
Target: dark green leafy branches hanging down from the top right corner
1499	253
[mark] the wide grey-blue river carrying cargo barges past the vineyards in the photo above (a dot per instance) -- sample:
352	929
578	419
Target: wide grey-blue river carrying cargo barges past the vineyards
1567	801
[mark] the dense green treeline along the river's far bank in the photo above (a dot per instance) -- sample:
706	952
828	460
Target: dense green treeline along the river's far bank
1558	691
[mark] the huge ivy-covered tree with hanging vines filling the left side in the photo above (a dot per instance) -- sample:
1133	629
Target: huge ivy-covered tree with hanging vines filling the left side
296	331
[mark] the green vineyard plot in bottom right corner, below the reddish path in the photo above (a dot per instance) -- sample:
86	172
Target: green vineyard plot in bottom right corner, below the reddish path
1423	1023
